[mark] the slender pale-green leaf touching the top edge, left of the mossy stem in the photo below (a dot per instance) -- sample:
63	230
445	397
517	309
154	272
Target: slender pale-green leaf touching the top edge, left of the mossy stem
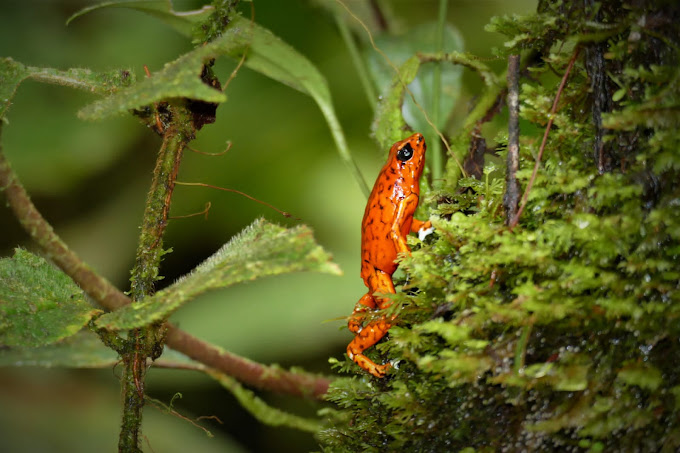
183	22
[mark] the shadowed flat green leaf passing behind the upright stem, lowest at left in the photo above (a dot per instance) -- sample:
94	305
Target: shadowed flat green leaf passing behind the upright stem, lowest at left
82	350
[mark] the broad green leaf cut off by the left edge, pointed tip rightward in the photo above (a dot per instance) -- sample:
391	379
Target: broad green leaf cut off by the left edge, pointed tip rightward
39	304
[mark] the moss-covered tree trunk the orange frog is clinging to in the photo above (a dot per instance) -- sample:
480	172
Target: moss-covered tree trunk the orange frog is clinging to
562	332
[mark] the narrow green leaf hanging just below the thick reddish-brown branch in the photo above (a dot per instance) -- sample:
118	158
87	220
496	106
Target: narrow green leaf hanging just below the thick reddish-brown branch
261	410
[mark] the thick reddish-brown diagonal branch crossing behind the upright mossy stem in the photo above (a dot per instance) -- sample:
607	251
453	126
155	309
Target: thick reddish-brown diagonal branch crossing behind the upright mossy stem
108	296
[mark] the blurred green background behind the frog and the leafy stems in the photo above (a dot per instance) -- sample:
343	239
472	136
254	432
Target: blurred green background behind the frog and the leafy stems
90	180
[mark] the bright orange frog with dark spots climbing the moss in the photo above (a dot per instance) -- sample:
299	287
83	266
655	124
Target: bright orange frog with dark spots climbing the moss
387	220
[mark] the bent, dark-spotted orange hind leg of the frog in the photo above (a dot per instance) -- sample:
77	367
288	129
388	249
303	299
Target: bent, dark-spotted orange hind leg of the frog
373	332
